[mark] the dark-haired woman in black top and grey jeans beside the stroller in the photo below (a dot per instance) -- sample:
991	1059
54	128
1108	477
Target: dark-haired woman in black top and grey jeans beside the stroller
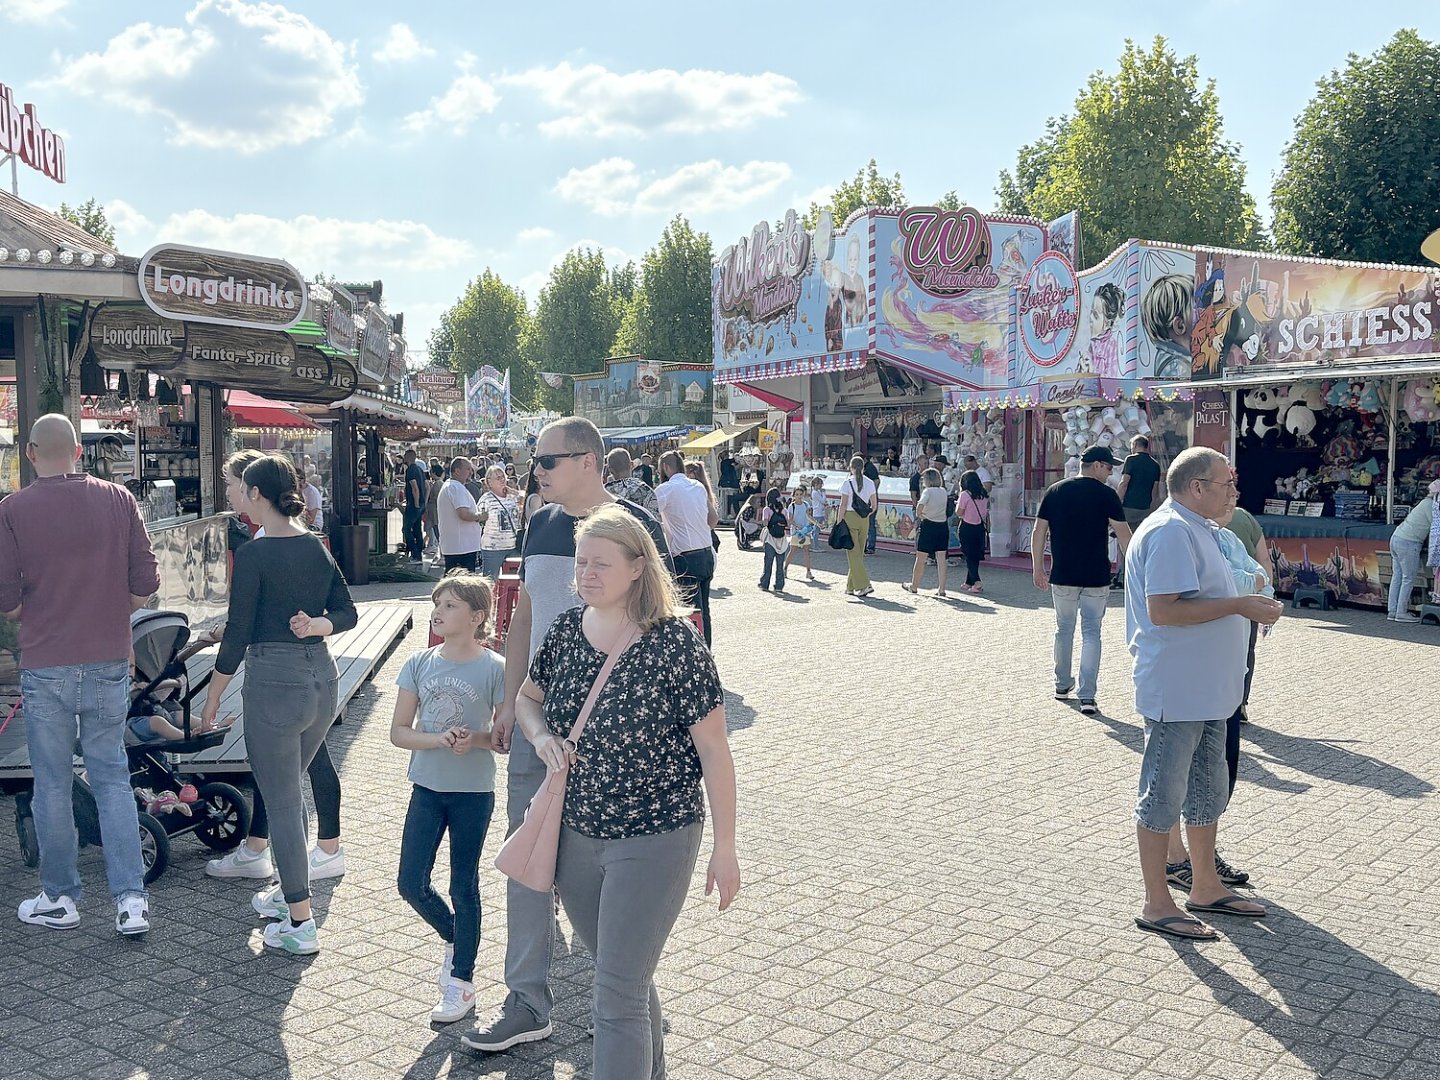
287	597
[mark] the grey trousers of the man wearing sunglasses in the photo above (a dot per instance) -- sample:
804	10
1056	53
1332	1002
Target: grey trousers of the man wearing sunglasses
529	915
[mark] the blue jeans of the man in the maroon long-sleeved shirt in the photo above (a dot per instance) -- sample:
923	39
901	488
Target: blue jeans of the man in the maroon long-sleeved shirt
99	698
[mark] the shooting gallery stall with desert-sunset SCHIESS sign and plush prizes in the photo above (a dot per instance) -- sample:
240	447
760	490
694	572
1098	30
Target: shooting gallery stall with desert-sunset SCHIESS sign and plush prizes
1323	381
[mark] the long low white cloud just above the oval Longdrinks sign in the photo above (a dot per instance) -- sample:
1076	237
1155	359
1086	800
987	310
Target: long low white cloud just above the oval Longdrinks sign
309	243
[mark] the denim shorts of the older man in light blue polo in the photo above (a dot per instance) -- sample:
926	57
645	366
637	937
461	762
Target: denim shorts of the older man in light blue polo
1183	773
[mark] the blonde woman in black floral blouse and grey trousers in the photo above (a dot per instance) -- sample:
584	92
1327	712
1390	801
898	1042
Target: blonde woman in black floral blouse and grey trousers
624	696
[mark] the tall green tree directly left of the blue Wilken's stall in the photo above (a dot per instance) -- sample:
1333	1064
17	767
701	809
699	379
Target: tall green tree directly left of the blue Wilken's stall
669	316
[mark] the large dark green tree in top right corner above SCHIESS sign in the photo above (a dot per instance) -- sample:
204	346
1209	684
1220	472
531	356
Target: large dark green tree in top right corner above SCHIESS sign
1362	178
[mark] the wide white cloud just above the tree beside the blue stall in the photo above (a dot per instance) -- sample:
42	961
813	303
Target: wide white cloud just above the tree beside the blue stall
616	186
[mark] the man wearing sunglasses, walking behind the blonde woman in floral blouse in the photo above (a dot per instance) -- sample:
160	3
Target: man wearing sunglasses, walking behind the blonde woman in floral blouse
570	467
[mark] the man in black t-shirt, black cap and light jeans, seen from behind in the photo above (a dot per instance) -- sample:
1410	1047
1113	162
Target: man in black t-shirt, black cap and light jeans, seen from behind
1078	516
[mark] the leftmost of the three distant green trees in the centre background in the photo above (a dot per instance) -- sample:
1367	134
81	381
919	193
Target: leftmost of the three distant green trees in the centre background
486	326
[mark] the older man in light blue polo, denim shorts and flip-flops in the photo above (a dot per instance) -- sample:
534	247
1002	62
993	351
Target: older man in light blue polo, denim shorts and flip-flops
1187	630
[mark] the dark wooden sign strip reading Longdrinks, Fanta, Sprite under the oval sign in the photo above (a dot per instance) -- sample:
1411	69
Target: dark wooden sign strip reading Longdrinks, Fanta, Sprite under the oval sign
263	362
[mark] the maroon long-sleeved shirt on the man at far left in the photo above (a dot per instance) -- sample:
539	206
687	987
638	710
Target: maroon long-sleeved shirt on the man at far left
73	552
